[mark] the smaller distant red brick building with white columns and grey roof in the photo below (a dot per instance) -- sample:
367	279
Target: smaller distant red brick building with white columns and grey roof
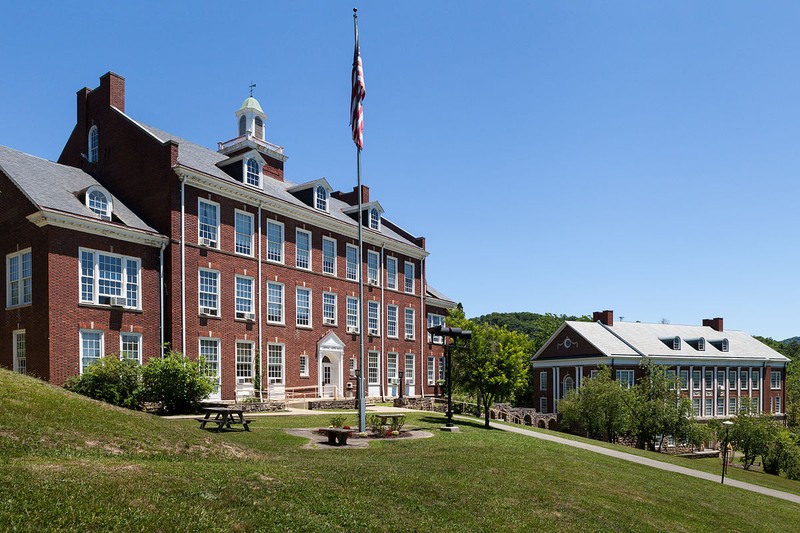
716	368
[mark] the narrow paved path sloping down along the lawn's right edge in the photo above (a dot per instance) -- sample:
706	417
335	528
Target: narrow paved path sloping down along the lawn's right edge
645	461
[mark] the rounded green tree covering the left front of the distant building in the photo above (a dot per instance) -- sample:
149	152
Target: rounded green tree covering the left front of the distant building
597	409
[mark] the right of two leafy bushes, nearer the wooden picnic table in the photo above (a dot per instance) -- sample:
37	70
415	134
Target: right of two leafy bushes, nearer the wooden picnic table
175	382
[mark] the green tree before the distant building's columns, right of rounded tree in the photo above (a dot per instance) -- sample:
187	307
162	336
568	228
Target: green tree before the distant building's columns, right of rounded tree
656	408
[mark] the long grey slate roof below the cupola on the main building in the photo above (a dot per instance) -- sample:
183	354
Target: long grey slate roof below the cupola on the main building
205	160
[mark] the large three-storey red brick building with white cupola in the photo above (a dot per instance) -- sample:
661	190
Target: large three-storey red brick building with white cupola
154	239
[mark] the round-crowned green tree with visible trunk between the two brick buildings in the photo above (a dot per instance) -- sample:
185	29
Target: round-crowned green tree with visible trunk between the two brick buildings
494	363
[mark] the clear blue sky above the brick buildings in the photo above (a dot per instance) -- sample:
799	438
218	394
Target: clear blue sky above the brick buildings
559	157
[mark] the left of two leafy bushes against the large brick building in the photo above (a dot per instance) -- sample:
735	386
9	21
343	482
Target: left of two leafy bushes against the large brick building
110	380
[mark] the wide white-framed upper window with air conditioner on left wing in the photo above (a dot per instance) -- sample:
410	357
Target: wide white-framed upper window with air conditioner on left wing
110	279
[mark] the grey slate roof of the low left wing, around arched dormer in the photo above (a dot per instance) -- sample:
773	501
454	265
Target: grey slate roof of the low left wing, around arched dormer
60	187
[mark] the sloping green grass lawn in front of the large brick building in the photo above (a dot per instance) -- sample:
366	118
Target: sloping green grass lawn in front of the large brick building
69	463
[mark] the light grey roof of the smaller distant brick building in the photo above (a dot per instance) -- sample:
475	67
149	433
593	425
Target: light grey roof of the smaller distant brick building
635	338
